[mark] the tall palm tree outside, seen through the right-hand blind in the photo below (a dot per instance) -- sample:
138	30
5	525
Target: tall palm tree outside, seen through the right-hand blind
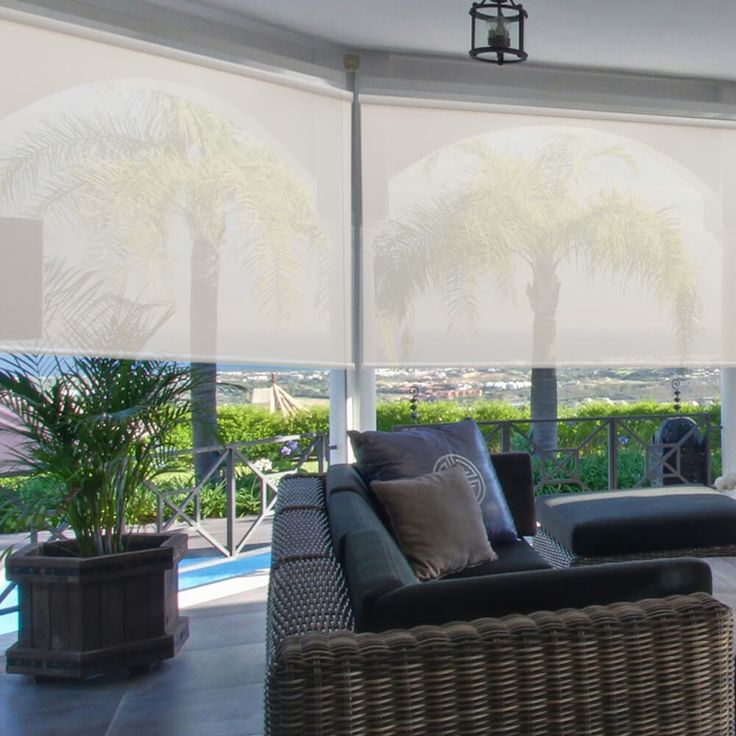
540	217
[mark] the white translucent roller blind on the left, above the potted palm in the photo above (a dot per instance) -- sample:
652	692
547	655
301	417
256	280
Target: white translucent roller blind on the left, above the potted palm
168	207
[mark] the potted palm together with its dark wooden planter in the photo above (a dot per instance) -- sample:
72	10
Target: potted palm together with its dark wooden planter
95	428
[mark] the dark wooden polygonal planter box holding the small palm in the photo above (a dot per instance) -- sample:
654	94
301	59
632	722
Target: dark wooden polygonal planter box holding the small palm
85	616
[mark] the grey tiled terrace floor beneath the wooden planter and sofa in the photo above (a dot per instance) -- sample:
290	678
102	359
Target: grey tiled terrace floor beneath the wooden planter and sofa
214	687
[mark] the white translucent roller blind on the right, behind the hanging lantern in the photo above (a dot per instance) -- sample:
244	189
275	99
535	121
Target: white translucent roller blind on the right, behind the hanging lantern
496	237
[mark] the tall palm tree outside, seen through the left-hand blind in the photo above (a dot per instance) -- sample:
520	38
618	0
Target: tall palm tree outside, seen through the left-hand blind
125	171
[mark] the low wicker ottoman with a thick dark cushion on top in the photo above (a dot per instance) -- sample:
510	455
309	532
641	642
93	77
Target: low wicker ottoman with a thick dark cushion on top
643	523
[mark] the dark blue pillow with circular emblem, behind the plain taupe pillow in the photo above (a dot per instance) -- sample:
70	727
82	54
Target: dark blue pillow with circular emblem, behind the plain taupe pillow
416	451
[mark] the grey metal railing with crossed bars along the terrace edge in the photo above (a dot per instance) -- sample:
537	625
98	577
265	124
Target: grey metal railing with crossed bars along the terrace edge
593	453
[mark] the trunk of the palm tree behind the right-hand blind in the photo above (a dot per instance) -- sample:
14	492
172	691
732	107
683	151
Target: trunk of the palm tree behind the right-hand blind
543	294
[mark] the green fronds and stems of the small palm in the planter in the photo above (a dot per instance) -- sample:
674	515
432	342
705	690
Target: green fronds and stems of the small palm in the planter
96	429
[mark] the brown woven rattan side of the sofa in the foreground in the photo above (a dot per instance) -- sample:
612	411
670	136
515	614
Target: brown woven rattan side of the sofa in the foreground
661	666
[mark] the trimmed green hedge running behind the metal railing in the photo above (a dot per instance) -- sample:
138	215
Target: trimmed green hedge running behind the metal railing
247	423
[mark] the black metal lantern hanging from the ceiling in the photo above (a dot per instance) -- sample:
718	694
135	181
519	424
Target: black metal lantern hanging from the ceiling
502	42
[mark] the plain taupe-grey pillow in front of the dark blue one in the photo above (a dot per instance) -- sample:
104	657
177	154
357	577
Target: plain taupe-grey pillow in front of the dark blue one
436	521
